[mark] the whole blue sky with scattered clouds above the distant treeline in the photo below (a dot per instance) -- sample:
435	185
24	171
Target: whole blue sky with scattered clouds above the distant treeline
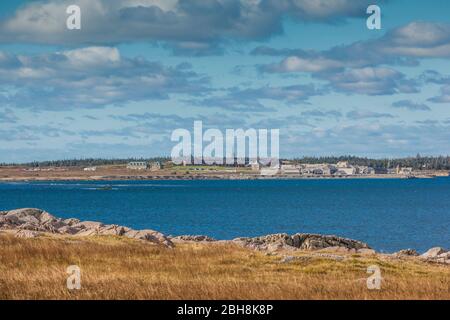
138	69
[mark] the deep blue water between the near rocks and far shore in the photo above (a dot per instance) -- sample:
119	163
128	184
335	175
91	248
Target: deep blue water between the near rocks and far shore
388	214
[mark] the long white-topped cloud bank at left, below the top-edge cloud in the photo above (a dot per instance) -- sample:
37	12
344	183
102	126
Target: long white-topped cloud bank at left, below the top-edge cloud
91	77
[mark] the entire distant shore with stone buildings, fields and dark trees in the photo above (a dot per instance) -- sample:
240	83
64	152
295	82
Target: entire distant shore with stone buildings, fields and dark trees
164	168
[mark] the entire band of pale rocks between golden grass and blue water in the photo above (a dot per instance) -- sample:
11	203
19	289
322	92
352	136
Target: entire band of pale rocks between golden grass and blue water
31	223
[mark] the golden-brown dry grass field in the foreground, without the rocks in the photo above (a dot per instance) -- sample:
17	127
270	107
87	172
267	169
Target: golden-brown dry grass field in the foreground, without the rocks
115	268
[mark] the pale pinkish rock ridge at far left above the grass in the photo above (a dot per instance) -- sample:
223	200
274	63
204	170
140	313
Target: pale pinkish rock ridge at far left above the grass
30	223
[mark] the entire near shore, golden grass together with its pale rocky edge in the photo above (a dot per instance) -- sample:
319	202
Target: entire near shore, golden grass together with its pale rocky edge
117	262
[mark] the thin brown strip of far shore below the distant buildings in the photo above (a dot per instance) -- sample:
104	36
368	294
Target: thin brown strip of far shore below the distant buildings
122	173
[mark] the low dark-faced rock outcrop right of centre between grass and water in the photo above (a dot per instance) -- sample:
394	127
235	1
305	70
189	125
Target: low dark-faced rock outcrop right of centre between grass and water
302	241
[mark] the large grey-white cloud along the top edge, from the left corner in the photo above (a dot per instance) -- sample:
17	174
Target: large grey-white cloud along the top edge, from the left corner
190	25
